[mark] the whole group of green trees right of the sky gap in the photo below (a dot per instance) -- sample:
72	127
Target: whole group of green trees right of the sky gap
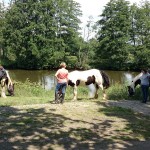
123	36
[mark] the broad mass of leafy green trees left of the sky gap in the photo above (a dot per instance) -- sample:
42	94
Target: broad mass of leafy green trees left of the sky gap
38	34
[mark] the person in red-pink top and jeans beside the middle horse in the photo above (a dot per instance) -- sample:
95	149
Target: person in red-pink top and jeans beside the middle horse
62	79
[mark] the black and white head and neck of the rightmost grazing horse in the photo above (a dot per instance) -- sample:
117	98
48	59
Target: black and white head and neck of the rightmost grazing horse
136	81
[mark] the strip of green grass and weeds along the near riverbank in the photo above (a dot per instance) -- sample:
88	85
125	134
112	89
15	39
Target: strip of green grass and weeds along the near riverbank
31	93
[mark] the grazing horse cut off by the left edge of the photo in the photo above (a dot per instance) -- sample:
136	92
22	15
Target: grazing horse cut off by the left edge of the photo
6	81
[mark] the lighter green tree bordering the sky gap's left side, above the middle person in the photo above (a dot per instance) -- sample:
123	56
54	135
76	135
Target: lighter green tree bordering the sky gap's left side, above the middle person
67	21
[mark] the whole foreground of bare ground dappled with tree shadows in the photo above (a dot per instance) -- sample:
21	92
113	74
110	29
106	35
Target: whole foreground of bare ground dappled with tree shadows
74	126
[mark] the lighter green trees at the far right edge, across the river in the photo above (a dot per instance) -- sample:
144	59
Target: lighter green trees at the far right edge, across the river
140	35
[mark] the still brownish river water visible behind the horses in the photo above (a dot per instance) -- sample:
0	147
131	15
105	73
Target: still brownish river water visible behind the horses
47	80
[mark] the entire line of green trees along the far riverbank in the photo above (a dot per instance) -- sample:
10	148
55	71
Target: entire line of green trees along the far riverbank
39	34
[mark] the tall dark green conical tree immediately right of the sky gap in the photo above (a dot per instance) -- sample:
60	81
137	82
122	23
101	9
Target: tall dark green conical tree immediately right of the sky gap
114	36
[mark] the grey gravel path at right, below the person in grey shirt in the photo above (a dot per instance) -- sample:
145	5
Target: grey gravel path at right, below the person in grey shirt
136	106
